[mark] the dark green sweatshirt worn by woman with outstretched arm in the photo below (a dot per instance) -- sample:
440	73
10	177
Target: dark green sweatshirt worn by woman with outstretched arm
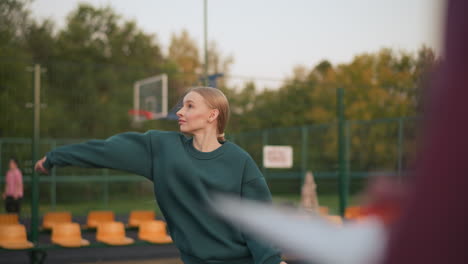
183	179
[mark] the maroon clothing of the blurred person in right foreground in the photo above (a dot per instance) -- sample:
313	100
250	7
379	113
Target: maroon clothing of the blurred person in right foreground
433	228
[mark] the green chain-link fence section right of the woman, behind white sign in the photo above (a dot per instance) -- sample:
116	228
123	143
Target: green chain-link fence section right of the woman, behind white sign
377	147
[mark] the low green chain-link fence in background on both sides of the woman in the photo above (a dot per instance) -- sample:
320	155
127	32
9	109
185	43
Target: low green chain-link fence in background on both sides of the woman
381	147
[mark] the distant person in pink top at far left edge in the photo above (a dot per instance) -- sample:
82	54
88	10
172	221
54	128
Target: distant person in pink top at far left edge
13	188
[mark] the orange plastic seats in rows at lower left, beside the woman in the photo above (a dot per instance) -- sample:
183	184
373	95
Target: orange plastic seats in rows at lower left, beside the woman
68	234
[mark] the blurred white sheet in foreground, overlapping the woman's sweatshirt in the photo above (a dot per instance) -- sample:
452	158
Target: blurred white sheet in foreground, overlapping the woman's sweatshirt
309	237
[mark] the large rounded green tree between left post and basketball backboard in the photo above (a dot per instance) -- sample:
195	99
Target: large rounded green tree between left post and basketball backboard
100	57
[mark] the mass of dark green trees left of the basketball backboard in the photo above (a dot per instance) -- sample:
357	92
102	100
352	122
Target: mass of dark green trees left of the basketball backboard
91	65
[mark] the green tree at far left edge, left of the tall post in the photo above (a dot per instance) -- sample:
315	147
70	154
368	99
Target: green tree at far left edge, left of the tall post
15	82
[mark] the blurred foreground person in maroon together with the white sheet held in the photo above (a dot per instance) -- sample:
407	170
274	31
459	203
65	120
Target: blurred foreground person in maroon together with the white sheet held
432	228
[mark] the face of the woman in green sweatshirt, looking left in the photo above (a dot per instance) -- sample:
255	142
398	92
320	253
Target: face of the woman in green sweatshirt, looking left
195	113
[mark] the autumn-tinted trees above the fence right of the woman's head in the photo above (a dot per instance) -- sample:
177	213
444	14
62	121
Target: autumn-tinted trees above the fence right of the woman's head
381	85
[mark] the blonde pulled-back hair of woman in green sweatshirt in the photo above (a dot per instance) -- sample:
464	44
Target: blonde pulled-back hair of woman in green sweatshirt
215	99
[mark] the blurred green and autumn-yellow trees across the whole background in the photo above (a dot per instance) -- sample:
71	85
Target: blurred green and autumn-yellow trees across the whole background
93	61
